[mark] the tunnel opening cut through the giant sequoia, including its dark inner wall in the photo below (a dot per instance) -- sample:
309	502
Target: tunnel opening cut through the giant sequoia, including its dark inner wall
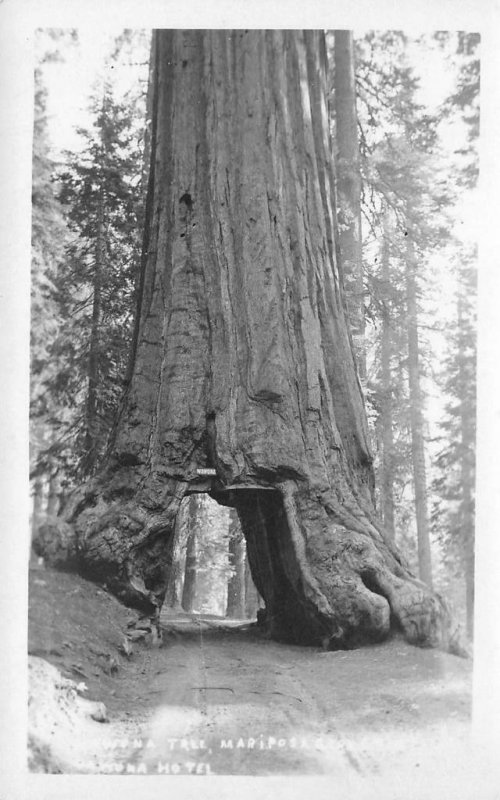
233	557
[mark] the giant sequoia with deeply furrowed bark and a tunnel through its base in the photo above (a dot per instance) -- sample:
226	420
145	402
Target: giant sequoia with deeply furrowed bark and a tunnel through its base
243	360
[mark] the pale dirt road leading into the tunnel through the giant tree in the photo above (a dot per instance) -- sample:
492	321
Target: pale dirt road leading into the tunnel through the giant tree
217	700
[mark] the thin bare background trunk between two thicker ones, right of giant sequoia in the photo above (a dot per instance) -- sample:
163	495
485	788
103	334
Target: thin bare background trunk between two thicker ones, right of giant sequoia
386	417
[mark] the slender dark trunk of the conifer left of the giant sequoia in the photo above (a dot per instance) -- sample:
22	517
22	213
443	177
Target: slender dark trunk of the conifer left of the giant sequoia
91	414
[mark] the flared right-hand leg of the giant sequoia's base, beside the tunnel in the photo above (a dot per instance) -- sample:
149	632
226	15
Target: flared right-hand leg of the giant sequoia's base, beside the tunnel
340	588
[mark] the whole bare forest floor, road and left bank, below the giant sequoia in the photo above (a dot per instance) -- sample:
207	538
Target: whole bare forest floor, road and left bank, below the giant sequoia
216	697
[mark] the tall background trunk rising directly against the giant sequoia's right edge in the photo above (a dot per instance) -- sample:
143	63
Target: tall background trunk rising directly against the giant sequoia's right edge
349	188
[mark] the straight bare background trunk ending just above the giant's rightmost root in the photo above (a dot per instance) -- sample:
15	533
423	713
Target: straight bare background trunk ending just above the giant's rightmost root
417	419
